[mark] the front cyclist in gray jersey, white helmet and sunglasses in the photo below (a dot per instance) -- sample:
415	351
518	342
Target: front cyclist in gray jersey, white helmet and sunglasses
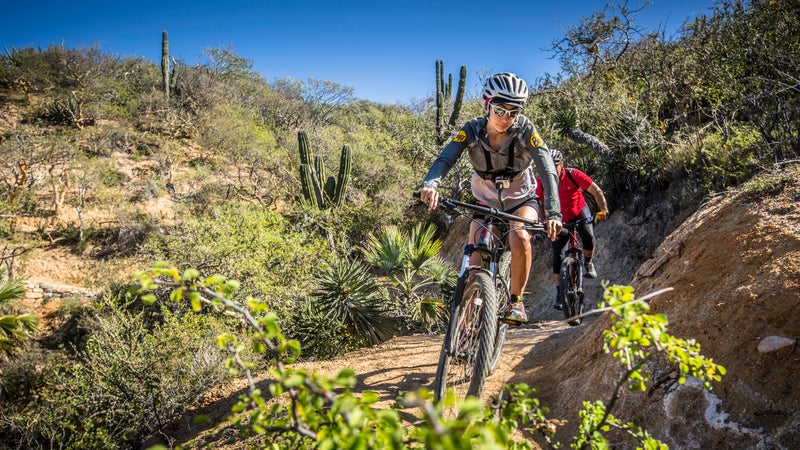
501	146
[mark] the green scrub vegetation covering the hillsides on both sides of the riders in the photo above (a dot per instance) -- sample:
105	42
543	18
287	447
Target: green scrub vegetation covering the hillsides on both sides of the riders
102	174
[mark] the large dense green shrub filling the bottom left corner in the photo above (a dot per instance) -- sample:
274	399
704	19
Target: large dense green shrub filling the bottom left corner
131	377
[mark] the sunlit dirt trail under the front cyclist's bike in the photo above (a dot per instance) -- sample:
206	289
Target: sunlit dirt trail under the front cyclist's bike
402	364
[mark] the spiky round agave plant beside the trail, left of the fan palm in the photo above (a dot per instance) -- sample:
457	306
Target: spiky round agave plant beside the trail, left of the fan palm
347	292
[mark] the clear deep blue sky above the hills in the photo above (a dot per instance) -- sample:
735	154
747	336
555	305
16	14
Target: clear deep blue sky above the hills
385	50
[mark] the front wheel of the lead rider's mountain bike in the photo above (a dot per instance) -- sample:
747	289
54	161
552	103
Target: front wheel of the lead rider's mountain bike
465	357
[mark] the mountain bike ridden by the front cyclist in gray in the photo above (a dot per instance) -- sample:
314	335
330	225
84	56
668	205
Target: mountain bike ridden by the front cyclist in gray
477	327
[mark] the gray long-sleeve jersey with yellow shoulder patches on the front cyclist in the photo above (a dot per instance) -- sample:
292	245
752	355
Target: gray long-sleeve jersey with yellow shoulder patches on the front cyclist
527	147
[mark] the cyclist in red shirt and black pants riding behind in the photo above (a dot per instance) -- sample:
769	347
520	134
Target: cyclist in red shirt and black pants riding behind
571	184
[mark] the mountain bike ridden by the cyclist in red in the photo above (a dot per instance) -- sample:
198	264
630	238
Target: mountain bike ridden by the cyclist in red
571	274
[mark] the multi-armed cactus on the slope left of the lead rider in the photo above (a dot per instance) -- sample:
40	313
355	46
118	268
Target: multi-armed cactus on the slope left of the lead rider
318	190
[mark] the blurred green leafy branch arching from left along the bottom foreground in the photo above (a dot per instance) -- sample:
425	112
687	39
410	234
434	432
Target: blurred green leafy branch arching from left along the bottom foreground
307	410
